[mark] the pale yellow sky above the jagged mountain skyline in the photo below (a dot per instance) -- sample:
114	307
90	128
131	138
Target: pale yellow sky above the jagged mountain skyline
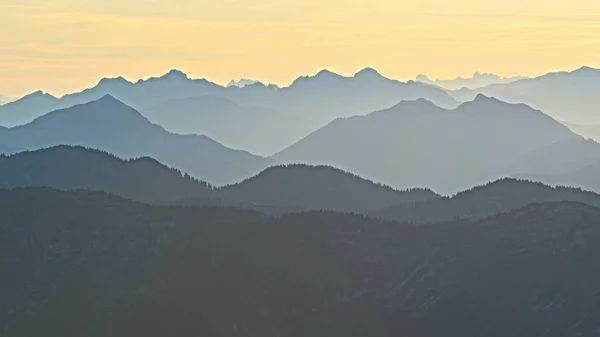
61	46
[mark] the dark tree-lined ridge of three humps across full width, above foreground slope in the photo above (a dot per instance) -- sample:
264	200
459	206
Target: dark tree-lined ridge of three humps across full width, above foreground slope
279	189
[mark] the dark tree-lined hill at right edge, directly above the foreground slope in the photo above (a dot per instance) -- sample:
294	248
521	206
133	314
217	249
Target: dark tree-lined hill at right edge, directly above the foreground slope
501	196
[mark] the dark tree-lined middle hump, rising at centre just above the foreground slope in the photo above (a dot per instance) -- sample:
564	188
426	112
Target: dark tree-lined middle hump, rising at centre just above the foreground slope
295	188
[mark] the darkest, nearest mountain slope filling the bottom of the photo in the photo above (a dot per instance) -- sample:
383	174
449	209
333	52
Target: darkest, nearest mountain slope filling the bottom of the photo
81	264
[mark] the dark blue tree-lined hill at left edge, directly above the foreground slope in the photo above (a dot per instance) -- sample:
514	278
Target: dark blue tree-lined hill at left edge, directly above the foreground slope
74	167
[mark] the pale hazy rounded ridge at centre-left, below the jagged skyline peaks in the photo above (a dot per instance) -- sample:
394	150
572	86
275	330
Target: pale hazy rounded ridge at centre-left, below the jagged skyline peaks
259	130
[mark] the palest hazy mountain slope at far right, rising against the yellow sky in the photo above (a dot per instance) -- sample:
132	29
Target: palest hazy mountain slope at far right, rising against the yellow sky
566	96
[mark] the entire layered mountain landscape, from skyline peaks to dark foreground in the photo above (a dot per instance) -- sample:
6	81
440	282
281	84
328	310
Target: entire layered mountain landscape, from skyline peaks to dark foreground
336	206
